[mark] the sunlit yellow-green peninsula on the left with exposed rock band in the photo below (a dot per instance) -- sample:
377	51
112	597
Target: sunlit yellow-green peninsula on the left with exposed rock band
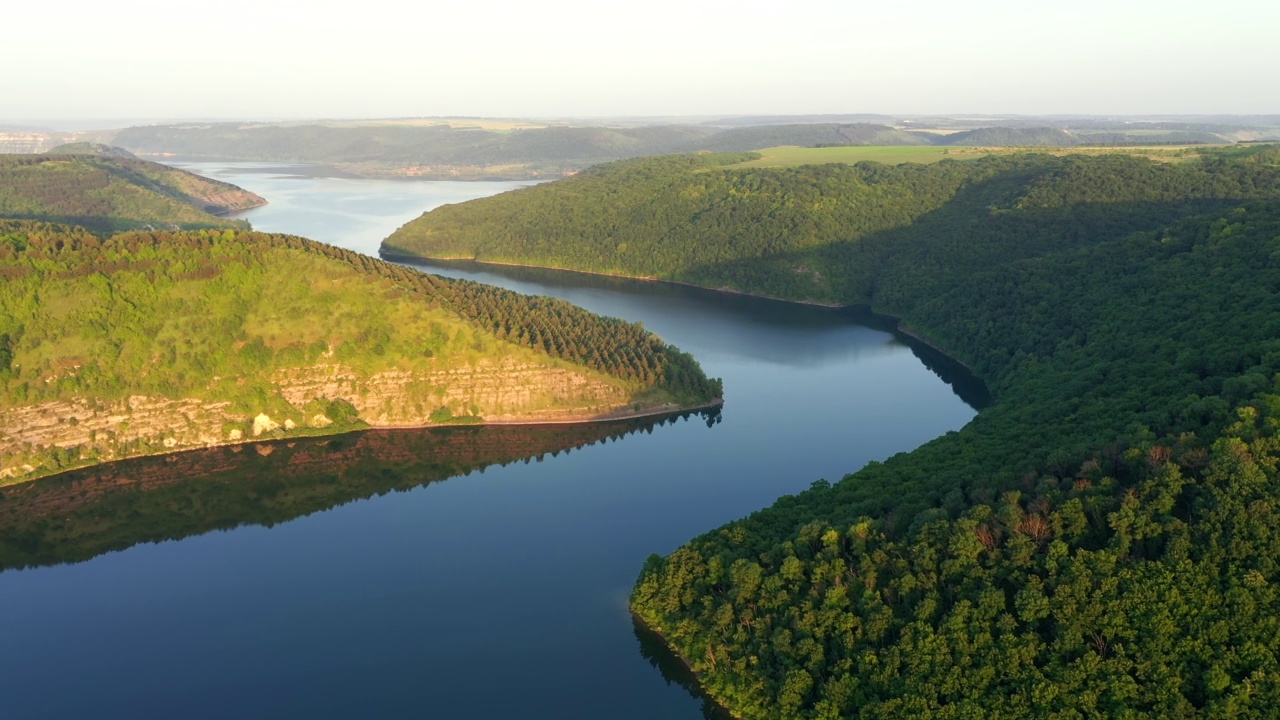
161	340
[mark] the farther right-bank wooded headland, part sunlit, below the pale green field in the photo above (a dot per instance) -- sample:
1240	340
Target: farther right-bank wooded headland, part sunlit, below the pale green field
824	233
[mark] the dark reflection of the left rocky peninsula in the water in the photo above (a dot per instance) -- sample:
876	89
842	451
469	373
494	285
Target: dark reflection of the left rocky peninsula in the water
83	514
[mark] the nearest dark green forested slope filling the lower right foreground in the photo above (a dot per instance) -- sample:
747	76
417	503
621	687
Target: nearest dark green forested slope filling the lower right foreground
1101	543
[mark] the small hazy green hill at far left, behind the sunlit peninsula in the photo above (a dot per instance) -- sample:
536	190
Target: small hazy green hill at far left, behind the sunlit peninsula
99	189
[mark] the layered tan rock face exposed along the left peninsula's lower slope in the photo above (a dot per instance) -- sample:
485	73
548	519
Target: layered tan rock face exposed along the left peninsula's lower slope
98	431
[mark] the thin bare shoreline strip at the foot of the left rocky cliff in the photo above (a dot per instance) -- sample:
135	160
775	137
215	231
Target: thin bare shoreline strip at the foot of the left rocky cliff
566	421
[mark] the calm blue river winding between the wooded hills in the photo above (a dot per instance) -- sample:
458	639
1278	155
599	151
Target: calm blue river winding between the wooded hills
497	594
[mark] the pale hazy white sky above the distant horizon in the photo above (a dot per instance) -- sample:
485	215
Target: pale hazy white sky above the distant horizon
497	58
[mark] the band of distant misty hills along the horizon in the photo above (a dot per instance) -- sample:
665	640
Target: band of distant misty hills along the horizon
518	149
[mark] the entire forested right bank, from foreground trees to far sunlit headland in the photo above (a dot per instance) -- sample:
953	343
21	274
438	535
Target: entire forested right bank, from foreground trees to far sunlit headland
1101	541
